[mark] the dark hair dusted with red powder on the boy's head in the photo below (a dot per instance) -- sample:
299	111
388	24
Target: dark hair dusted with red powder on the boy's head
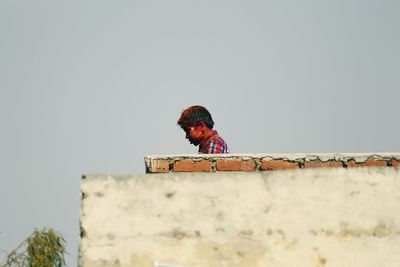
192	116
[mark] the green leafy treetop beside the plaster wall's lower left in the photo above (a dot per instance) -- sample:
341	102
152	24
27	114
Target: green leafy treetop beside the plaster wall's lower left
44	248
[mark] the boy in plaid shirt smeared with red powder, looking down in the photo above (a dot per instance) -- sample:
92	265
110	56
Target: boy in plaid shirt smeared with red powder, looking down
197	123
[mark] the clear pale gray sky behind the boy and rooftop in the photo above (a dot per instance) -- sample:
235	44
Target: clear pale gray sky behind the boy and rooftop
94	86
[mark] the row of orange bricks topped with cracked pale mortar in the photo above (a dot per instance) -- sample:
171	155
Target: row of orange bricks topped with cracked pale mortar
266	162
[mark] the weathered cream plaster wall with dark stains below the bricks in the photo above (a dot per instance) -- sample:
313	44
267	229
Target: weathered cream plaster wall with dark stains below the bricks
305	217
